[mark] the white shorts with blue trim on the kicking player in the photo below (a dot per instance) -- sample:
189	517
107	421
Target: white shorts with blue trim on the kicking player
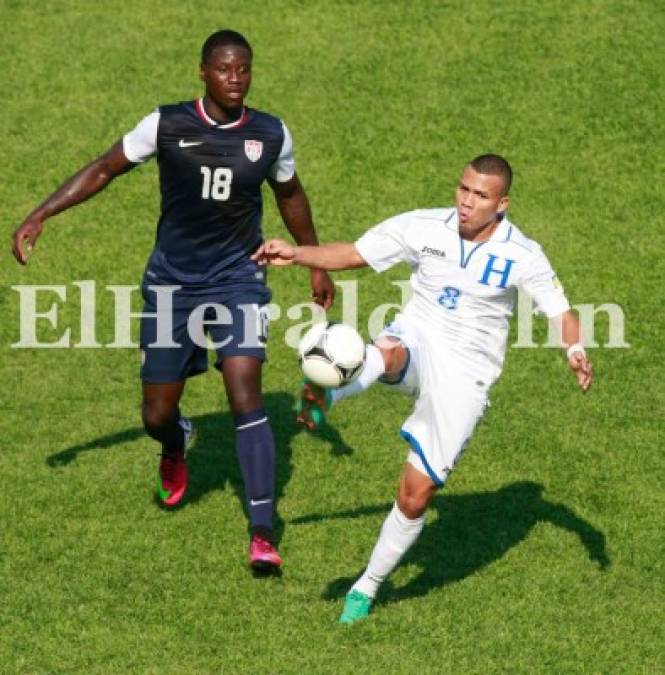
448	405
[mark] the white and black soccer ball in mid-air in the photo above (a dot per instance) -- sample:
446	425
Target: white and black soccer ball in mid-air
331	354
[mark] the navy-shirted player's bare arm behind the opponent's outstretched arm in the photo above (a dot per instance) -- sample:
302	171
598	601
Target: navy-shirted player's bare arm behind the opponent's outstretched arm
294	208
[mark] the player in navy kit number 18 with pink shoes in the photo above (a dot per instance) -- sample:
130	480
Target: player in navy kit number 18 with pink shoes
213	154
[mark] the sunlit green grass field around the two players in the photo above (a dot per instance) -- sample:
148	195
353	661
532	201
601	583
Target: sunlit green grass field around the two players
544	553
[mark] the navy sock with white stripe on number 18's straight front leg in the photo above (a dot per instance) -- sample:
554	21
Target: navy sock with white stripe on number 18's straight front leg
256	454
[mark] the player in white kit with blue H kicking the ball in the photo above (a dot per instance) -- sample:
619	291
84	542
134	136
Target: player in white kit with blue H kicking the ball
447	346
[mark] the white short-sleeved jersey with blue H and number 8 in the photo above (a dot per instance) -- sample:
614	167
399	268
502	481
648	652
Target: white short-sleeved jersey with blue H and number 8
464	292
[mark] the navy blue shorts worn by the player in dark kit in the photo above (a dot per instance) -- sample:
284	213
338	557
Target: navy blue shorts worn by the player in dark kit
175	344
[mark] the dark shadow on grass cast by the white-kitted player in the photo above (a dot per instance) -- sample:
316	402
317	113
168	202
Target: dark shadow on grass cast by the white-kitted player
471	532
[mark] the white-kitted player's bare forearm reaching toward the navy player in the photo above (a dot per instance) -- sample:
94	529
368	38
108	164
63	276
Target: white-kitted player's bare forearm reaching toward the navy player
336	256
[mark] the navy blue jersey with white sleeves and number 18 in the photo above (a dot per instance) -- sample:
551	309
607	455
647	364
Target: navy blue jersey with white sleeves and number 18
210	180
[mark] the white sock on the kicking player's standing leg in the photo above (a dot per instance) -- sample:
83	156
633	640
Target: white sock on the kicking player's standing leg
397	535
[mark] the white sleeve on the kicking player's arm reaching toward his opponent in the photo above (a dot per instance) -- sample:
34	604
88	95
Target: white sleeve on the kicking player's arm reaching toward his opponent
390	242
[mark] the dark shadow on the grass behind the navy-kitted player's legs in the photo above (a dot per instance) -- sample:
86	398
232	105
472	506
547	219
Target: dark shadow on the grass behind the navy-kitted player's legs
212	458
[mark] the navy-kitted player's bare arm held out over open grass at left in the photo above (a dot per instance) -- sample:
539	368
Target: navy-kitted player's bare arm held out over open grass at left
83	185
